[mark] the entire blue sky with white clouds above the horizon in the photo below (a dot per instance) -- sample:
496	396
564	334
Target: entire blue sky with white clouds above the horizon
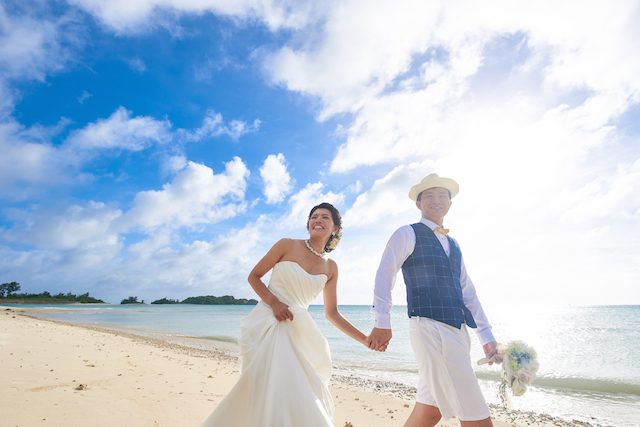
158	148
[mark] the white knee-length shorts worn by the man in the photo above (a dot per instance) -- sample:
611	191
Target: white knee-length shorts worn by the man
445	377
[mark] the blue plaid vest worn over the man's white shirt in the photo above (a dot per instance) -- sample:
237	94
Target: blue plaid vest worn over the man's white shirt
433	280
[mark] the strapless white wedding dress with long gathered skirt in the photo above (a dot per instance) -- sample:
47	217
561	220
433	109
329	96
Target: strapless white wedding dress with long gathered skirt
285	365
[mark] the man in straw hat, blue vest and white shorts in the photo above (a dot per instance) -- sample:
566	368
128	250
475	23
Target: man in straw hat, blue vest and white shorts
442	303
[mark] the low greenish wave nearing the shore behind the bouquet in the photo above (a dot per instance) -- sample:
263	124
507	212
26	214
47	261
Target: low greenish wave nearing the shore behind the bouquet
576	384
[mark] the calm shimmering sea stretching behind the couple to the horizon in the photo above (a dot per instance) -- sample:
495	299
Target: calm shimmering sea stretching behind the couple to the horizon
589	356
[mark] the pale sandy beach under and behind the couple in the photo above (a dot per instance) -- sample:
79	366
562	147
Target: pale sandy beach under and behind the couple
60	374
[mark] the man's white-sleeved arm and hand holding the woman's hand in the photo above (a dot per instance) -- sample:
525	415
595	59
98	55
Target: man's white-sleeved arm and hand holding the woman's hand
398	248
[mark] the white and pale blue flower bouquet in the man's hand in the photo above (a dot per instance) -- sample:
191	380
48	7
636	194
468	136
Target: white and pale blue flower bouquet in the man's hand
519	369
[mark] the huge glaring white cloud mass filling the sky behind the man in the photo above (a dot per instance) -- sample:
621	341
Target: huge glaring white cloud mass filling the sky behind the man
517	102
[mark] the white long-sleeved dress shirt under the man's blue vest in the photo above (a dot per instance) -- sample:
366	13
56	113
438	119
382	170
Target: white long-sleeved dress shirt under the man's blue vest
400	246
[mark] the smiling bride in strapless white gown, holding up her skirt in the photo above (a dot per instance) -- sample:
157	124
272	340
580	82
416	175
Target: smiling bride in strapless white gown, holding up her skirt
286	363
